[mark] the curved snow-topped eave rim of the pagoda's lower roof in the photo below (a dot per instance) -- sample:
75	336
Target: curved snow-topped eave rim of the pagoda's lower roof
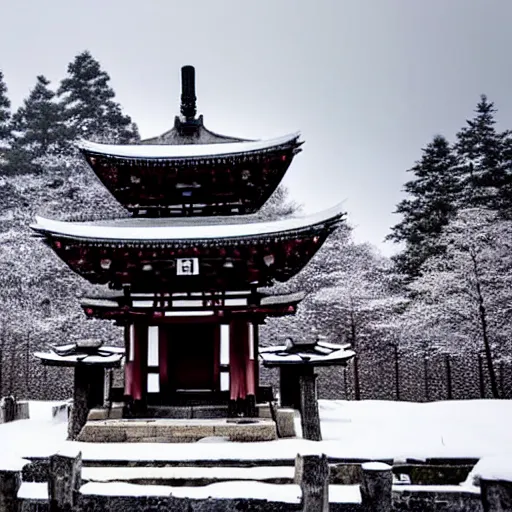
142	230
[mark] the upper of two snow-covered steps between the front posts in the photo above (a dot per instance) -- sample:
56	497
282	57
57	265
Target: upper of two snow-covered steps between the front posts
187	475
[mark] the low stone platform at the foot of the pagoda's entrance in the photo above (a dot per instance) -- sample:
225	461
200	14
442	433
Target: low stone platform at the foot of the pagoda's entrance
164	430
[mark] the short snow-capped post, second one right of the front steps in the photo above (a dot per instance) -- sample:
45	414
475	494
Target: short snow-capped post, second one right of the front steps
376	487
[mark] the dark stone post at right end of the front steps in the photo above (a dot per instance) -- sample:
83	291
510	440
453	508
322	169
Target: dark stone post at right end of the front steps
312	475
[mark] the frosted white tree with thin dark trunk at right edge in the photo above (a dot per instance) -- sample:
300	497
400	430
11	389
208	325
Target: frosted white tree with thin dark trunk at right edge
463	299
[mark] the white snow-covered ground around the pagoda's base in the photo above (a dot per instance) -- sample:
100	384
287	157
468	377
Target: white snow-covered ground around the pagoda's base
363	430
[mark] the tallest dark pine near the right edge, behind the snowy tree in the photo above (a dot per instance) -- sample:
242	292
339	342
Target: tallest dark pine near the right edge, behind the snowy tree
481	150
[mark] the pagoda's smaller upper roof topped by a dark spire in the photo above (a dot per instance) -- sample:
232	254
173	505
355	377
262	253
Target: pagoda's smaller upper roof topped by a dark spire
190	170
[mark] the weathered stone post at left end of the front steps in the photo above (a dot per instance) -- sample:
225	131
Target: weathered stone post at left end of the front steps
65	479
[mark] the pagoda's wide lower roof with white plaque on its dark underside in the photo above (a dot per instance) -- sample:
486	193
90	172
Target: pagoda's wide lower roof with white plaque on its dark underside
155	255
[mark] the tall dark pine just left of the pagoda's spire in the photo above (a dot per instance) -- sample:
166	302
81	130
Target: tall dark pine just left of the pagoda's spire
88	102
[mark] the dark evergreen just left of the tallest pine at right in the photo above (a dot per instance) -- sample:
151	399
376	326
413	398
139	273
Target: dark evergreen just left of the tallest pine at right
433	195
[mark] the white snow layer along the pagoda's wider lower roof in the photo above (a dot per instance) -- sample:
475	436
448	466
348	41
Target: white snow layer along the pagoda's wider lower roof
146	229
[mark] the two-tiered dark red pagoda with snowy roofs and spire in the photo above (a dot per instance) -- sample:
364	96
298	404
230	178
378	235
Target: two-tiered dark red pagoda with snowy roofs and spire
189	272
